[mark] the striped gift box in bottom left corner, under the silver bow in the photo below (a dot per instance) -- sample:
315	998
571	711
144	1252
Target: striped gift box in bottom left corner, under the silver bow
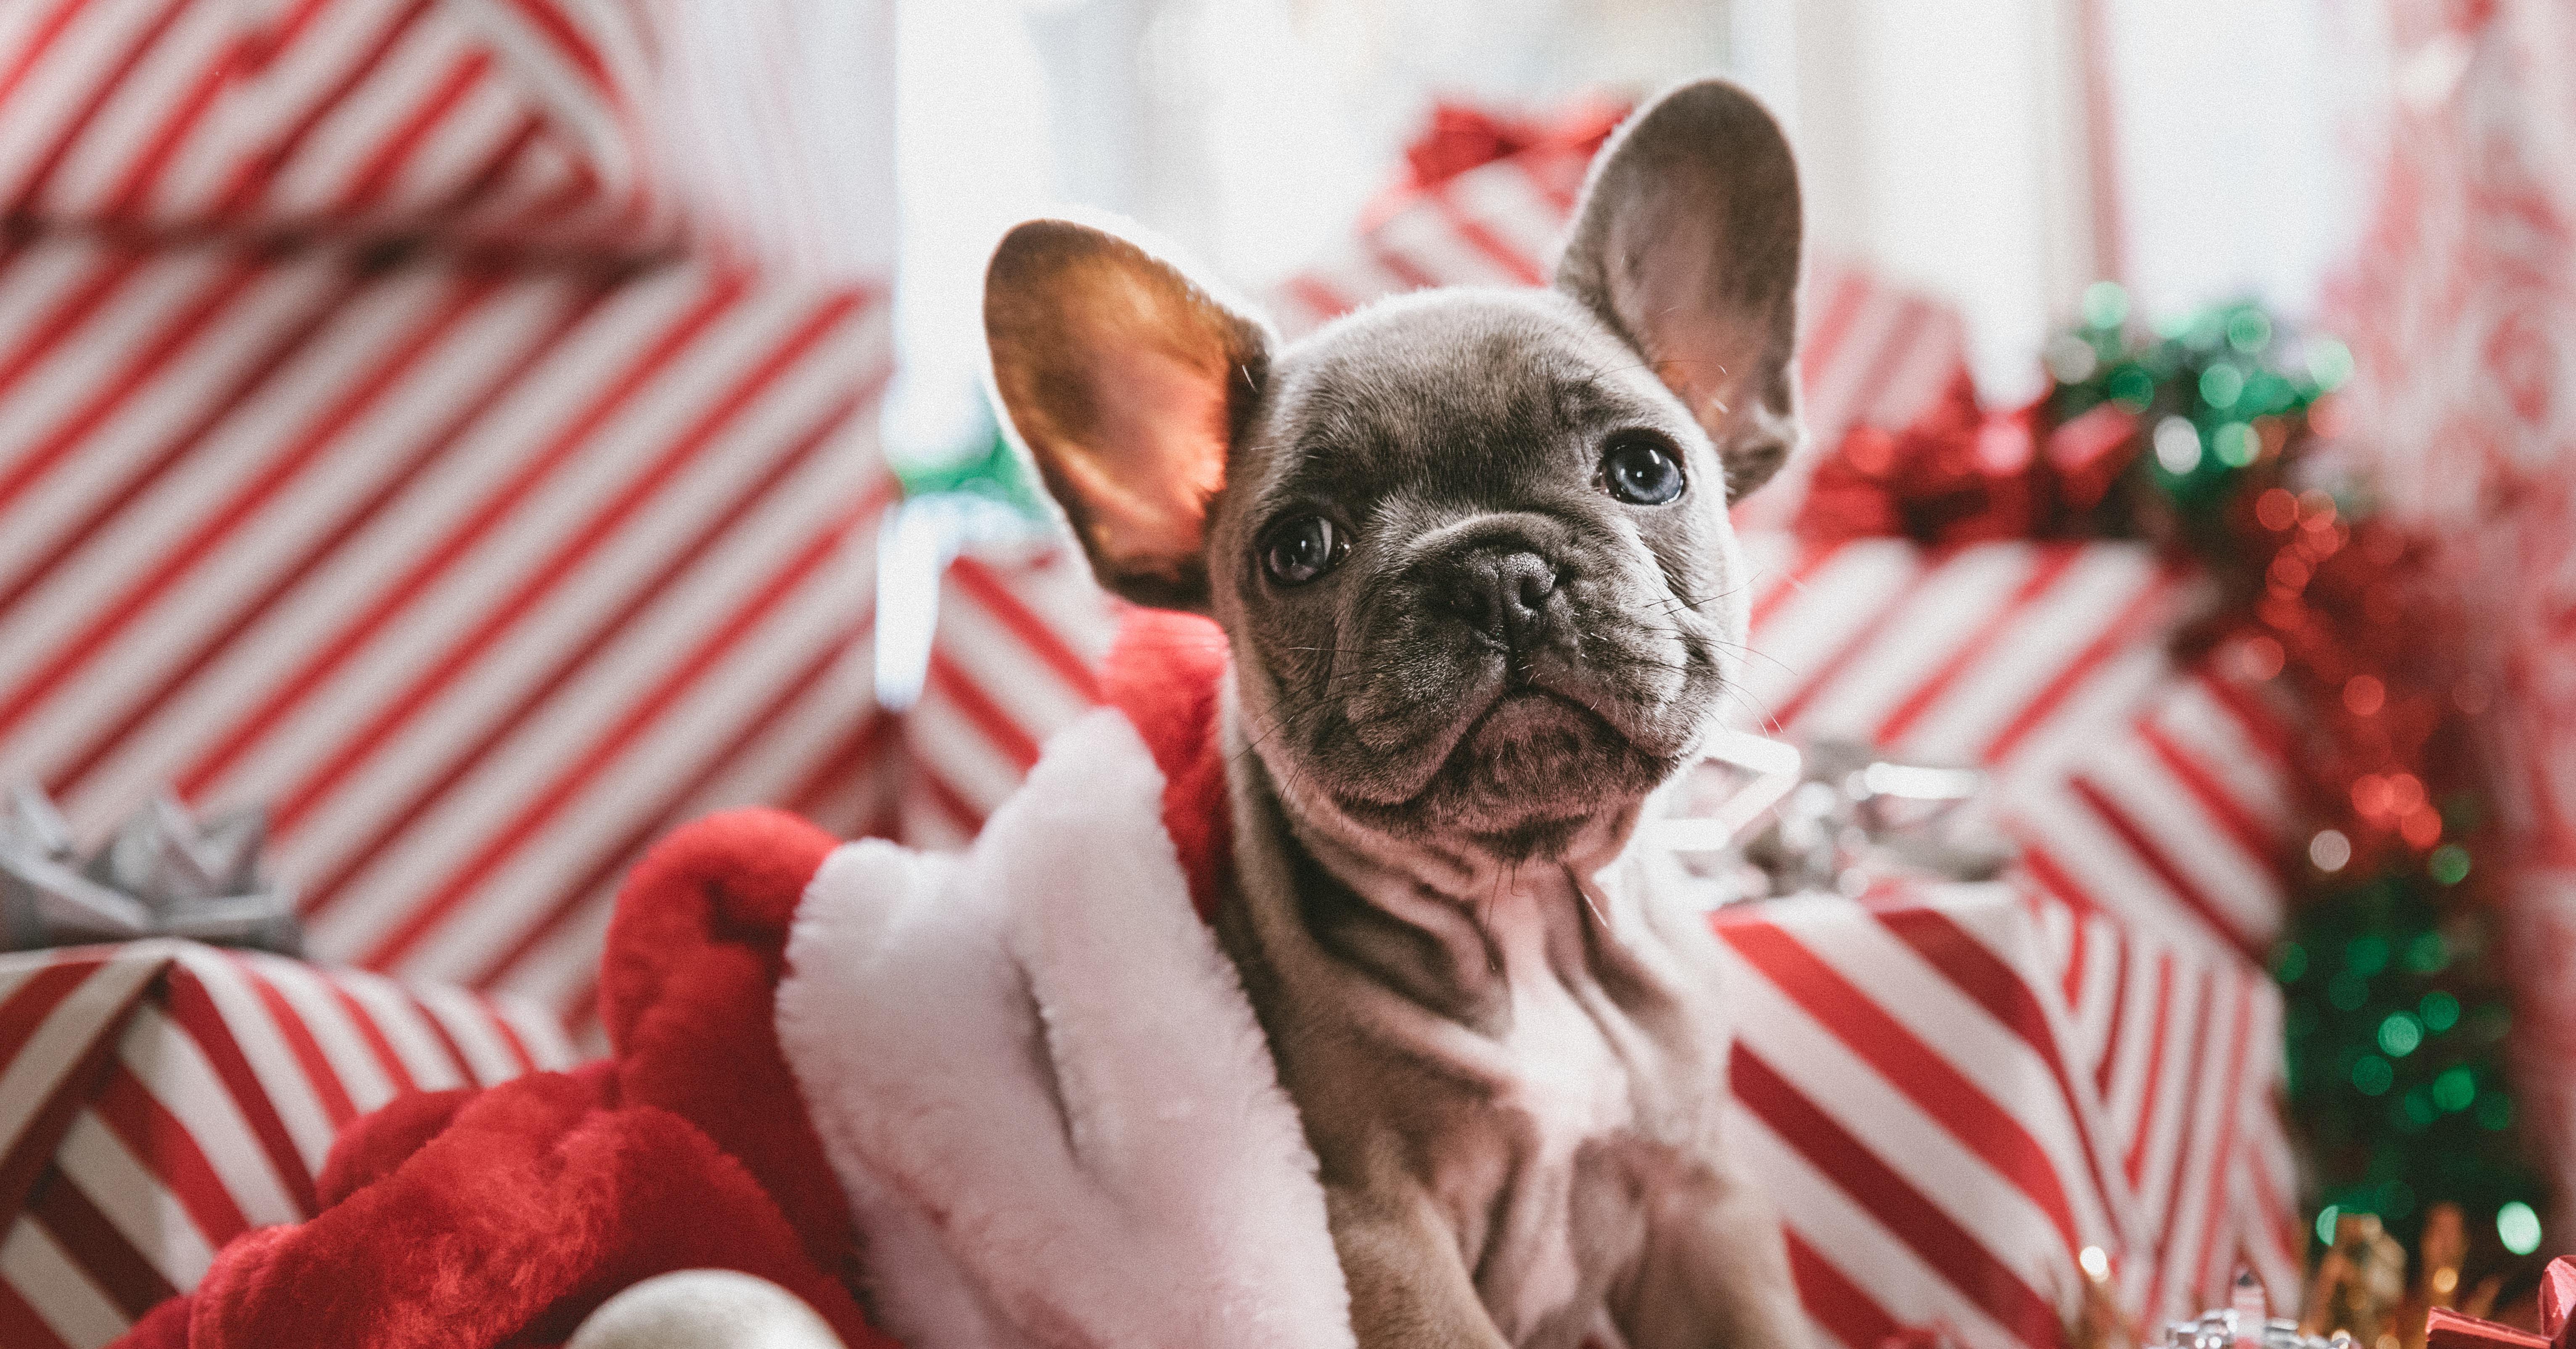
164	1098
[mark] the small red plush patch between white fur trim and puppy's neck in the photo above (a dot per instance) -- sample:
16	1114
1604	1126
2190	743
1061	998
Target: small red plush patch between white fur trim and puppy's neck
1166	676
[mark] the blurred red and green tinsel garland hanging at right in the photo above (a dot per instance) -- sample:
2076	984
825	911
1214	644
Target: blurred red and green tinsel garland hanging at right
2394	995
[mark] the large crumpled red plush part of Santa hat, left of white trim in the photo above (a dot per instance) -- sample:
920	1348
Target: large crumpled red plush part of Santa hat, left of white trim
506	1216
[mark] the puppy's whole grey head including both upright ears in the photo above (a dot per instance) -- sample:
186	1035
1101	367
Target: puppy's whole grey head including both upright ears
1470	547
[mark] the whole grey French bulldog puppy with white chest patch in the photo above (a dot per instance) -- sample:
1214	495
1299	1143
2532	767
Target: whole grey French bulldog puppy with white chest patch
1475	565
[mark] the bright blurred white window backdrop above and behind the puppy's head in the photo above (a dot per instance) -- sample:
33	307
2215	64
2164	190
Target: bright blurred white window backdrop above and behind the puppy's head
1995	153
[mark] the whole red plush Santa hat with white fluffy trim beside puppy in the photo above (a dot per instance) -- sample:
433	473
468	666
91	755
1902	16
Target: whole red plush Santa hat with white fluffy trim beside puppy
1011	1095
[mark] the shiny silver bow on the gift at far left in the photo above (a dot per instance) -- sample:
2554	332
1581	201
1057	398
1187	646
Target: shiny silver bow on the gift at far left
161	874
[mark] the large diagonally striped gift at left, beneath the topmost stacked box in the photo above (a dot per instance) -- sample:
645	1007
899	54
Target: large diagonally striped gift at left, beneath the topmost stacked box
478	578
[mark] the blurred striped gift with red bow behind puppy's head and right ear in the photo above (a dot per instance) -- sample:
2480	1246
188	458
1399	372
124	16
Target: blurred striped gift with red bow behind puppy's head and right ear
1869	351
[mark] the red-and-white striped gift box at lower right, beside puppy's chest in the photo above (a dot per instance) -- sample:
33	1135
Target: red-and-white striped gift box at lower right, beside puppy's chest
1954	1090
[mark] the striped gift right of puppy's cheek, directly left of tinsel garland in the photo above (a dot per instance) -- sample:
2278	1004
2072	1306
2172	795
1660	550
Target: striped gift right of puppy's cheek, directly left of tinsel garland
2129	784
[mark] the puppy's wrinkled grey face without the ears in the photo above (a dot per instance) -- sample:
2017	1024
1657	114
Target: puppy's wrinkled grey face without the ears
1477	568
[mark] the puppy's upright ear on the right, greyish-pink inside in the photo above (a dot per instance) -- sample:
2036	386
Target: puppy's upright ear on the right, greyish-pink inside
1689	248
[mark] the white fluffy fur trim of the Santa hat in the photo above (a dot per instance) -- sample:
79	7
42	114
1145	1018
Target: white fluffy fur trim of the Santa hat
1045	1088
